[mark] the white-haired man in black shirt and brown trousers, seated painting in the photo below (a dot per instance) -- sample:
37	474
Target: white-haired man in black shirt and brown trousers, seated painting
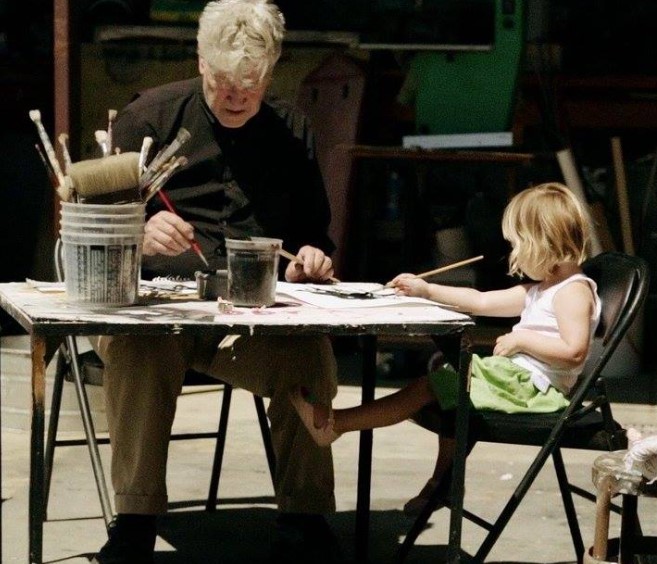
250	171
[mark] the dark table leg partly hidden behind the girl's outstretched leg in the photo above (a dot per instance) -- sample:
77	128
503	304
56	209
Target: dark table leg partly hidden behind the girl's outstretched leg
365	454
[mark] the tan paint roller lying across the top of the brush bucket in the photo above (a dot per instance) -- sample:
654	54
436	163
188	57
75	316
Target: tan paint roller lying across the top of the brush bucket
112	179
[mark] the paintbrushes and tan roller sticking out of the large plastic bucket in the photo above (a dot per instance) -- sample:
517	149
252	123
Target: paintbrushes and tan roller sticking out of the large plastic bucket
116	177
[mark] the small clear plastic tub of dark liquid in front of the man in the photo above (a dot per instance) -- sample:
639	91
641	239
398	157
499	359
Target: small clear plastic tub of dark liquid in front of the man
253	270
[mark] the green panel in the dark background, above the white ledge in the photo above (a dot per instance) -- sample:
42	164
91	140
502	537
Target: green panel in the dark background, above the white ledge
471	92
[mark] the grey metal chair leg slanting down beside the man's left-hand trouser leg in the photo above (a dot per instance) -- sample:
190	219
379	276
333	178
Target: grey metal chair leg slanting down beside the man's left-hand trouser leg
89	431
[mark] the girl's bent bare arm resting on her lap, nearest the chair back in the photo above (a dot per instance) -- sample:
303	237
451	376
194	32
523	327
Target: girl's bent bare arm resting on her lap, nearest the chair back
573	307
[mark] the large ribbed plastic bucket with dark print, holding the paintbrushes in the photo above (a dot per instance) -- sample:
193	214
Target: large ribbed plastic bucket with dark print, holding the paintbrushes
102	260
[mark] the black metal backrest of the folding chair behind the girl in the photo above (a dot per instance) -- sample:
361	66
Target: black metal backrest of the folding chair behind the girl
623	281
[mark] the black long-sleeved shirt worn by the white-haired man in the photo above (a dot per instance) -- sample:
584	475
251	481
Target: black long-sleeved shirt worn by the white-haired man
258	180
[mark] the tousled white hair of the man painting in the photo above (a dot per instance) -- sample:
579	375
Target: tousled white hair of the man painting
241	39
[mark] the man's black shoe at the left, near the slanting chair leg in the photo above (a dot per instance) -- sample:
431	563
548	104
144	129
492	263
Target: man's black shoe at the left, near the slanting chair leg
131	541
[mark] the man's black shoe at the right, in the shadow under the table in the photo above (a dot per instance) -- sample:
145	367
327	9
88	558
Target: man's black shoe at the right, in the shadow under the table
304	539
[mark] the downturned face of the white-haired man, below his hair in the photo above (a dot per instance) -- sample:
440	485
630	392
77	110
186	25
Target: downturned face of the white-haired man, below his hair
233	105
